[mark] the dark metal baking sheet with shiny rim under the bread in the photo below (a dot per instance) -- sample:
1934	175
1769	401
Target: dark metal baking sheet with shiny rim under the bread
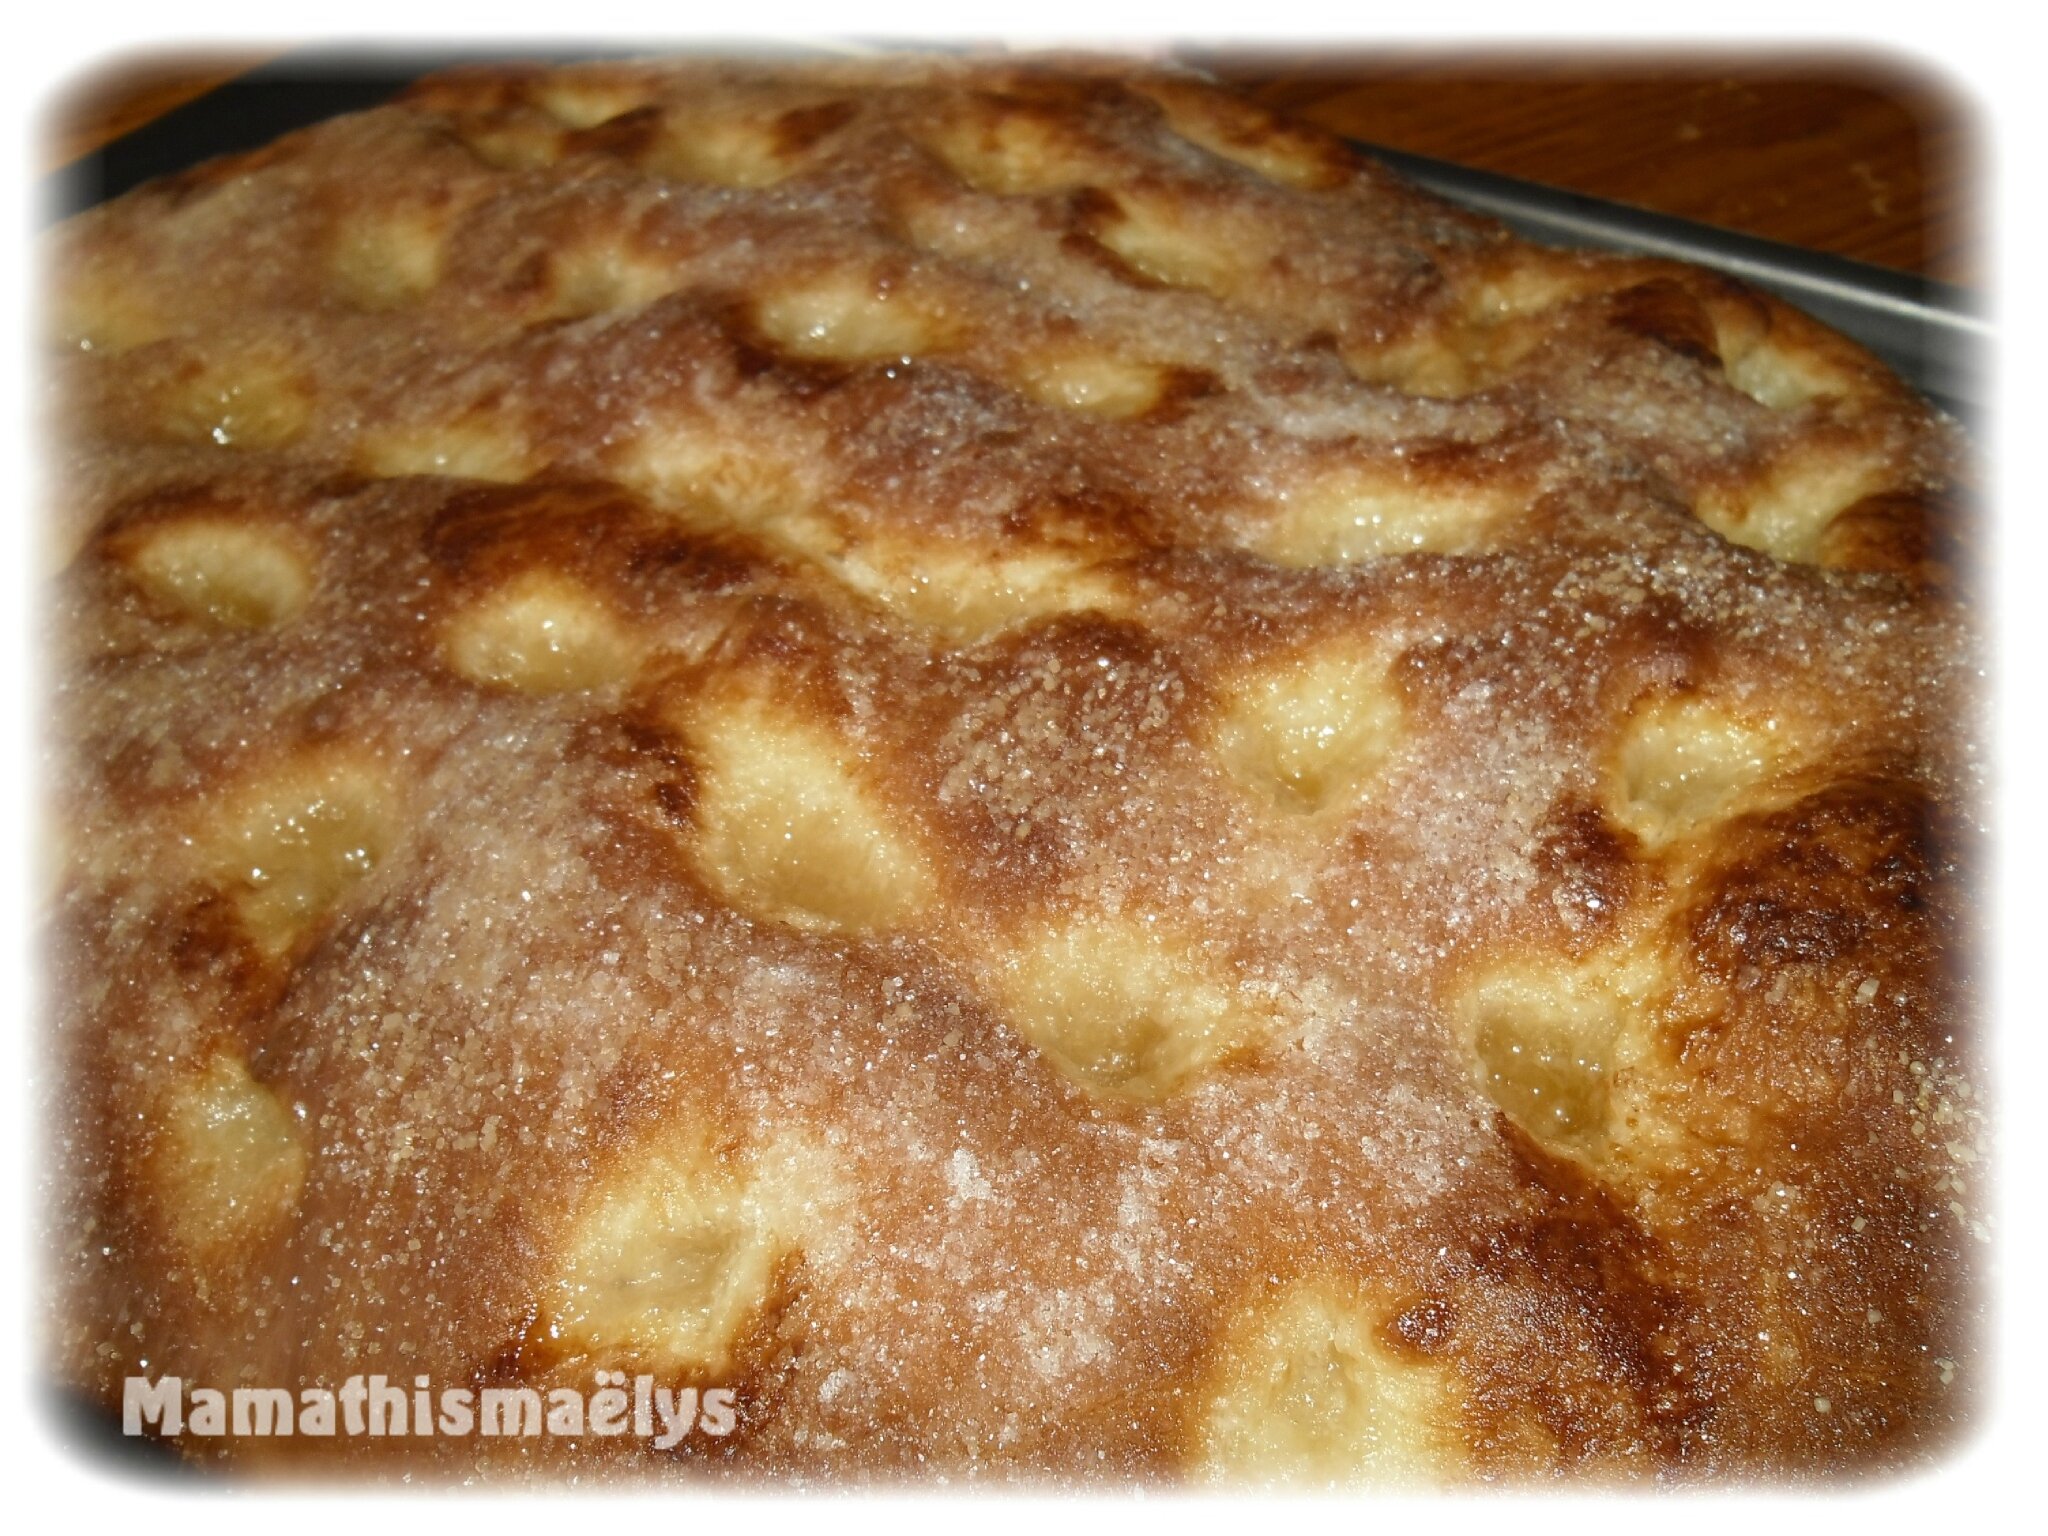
1934	335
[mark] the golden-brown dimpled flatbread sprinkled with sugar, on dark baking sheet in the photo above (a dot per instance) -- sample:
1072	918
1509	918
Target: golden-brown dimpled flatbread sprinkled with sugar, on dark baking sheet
1017	763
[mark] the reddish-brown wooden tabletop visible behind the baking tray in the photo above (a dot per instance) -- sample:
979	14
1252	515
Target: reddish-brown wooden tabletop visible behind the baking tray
1848	155
